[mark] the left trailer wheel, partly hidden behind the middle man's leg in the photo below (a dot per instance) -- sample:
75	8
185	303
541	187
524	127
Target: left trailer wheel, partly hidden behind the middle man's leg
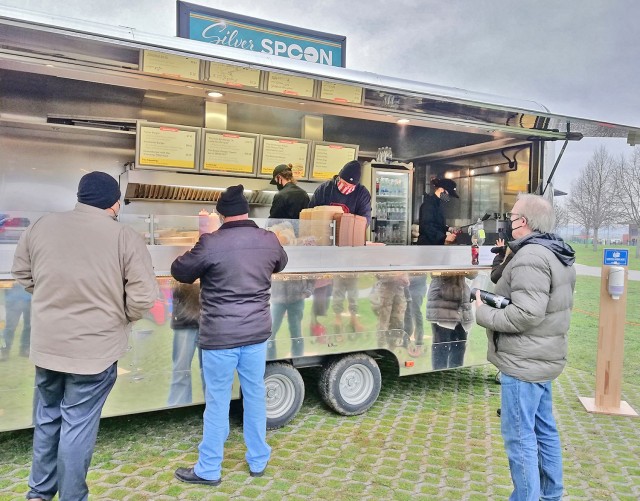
285	393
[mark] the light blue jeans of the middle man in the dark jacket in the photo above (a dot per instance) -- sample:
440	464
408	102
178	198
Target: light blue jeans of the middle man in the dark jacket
219	366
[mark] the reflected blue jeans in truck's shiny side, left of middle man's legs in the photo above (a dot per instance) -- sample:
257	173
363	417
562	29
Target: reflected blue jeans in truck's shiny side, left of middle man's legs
184	347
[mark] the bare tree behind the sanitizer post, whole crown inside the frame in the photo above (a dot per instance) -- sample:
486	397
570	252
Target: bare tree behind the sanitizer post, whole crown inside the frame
593	198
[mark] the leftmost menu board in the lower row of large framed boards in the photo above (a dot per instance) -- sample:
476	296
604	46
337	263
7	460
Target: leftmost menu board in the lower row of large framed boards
167	146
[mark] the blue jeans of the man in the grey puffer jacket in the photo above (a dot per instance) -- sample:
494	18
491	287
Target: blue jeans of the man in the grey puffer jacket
531	440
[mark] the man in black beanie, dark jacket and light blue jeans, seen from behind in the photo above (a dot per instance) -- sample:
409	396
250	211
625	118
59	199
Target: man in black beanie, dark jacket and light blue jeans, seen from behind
234	265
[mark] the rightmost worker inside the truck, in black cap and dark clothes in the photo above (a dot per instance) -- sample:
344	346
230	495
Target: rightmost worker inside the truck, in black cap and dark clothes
433	226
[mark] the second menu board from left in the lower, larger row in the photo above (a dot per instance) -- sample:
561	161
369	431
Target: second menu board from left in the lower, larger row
226	152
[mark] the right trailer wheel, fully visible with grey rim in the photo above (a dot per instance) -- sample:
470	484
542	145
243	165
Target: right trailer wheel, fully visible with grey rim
350	385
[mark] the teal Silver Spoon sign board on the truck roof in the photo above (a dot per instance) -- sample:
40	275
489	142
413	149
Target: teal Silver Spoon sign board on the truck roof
248	33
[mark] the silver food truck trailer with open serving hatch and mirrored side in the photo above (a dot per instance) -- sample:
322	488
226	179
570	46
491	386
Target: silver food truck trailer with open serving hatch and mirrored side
177	121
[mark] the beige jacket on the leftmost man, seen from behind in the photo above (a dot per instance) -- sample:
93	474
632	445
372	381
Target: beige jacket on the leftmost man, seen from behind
90	277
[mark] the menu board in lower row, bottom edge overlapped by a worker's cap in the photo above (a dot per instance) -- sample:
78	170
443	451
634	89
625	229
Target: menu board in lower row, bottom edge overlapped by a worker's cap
284	150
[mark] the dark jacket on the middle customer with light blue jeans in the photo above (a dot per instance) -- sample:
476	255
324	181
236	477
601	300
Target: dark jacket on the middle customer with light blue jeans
234	265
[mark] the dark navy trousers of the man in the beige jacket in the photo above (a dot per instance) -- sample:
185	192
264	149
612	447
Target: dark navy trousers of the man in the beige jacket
67	417
